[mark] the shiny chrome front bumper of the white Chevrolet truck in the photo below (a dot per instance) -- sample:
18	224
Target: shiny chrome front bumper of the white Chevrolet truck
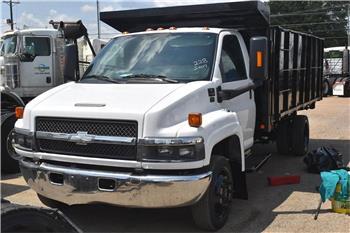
79	186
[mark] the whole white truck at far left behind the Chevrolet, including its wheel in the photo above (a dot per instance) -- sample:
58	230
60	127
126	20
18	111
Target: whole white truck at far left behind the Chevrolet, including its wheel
32	61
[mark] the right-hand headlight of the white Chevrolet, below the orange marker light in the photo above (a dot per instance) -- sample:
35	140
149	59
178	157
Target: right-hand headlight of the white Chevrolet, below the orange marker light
172	149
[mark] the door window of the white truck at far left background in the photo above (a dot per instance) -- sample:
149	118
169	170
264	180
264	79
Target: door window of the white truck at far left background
37	46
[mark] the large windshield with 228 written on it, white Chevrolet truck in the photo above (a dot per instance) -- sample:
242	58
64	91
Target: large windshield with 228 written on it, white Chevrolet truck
179	57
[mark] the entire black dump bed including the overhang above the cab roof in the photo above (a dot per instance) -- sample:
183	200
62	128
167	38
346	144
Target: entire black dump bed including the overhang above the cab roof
294	59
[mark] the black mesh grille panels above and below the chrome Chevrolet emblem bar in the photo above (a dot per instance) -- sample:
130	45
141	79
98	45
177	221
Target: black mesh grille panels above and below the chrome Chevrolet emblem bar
91	127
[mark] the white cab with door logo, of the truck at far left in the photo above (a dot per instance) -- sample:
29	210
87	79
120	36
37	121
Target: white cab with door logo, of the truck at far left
32	61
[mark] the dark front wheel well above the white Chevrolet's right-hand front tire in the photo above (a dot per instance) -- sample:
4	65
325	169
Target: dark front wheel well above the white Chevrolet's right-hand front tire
230	148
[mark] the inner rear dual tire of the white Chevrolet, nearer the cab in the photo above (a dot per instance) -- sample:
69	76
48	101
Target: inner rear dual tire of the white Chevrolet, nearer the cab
283	139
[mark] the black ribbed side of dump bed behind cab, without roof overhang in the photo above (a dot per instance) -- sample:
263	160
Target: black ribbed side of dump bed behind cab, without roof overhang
294	77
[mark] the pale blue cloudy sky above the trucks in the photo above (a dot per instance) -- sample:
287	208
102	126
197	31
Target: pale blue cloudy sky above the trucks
37	14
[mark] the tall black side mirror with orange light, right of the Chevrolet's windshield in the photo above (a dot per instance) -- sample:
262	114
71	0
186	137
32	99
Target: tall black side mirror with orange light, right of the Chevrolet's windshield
258	58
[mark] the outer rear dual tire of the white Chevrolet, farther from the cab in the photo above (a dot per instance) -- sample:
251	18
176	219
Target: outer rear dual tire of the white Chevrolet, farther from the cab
300	135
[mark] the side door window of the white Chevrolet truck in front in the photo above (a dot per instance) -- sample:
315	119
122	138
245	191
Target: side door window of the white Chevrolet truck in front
232	63
